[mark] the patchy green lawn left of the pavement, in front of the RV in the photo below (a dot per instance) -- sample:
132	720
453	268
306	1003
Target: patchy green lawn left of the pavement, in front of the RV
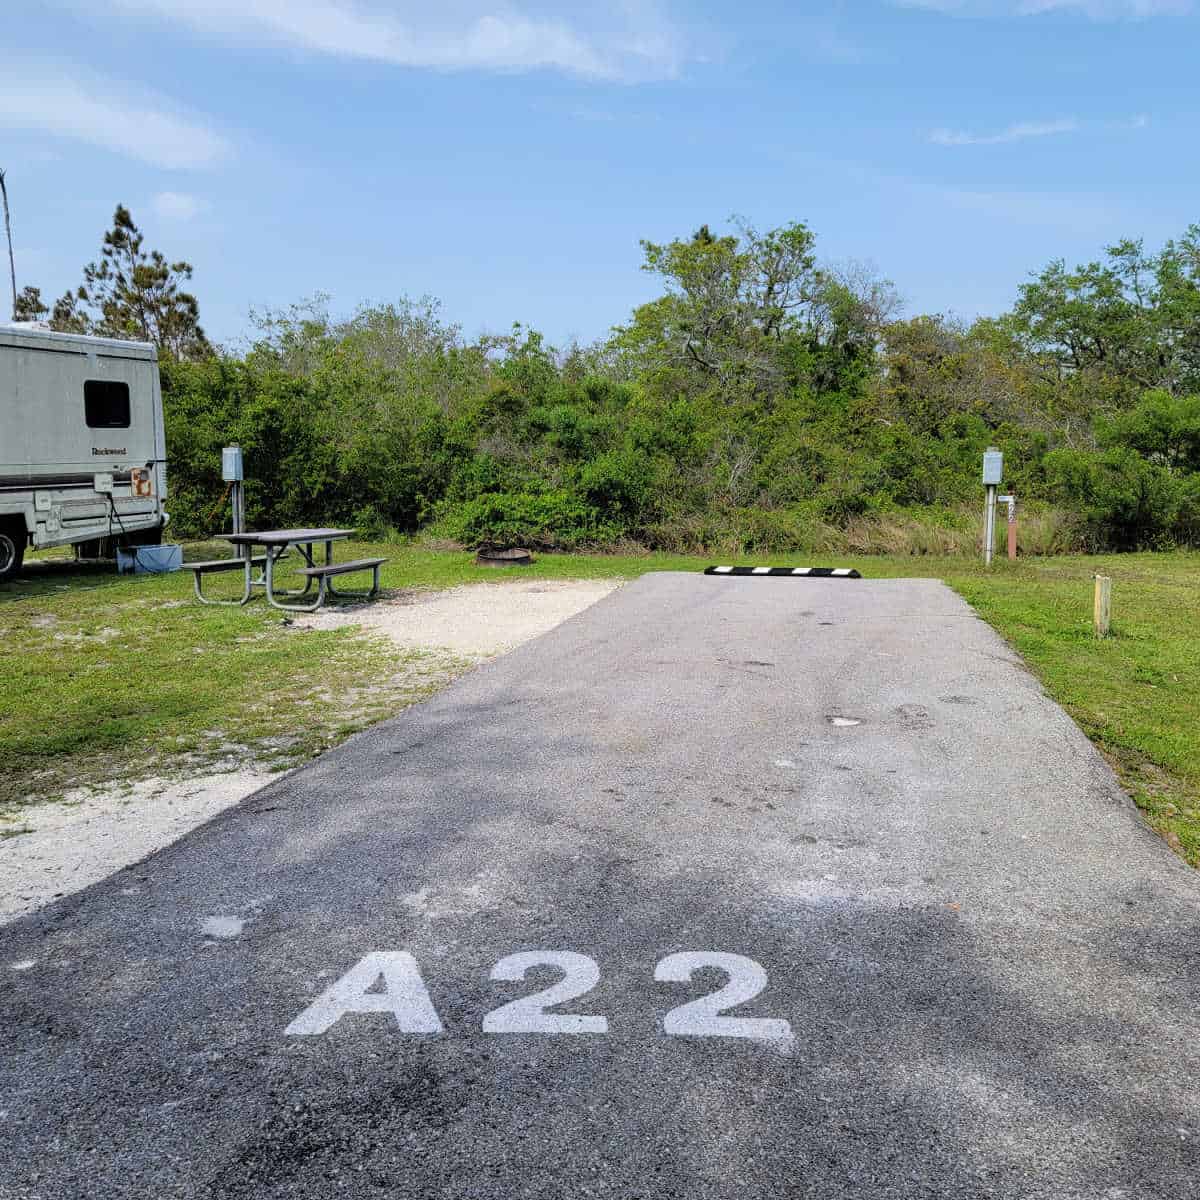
107	679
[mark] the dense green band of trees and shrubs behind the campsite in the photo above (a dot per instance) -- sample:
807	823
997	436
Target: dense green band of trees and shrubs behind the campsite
761	403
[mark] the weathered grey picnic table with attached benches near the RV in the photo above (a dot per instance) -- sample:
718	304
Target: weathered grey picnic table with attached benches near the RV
275	544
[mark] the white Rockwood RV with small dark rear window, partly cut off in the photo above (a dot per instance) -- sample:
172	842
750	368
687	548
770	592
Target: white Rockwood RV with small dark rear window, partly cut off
82	447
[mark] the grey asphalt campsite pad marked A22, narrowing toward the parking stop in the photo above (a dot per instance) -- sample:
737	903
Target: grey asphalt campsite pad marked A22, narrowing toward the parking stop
988	965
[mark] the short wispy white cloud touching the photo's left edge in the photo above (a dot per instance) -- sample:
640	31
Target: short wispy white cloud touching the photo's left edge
63	101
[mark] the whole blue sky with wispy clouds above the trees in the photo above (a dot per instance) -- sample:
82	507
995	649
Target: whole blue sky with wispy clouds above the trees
507	158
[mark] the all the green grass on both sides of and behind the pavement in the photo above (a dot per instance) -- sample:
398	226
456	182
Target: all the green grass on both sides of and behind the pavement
106	676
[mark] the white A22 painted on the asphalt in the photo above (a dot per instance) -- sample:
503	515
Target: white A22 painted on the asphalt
406	998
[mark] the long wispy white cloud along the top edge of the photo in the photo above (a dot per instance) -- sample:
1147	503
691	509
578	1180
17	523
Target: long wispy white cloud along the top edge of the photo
632	40
